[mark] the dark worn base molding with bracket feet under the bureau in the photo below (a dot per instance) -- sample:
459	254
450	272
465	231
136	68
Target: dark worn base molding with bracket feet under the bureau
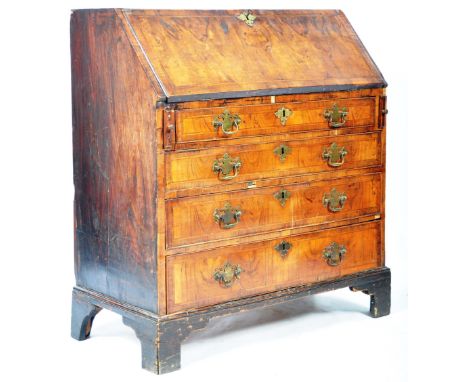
161	336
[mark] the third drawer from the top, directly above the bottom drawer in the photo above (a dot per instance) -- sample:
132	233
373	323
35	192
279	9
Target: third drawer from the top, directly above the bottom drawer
220	216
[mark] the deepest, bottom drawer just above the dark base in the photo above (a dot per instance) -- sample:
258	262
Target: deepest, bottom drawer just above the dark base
229	273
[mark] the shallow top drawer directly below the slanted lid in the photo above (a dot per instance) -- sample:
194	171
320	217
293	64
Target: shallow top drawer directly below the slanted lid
232	122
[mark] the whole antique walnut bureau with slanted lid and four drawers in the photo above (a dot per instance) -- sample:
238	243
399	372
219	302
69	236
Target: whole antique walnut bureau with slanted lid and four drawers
223	161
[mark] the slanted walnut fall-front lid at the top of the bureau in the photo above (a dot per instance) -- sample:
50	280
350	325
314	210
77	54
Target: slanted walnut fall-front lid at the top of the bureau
212	54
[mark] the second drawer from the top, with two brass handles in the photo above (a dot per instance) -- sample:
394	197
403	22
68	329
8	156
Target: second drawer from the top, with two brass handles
220	166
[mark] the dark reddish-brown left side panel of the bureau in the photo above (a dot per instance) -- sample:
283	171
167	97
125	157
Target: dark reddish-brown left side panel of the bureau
114	144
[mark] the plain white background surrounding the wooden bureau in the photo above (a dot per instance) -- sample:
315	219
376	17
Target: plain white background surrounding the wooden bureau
420	49
